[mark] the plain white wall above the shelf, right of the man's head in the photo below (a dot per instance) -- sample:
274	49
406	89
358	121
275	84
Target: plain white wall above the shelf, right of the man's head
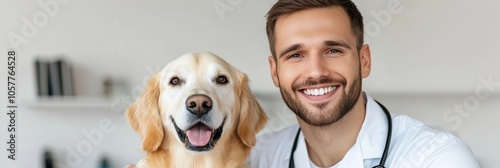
434	46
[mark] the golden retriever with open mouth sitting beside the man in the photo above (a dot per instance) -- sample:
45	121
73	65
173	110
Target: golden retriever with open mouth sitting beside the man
197	112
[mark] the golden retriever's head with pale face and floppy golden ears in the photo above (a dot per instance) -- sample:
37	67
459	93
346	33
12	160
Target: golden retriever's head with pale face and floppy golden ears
200	99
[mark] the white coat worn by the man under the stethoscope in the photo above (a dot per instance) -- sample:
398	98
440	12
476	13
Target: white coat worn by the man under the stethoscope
413	145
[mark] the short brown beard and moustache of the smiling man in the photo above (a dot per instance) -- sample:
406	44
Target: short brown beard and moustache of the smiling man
323	118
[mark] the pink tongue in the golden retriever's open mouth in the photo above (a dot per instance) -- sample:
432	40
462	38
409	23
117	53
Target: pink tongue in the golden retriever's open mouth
199	135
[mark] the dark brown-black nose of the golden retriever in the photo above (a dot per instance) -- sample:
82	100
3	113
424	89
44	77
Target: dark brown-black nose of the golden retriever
199	104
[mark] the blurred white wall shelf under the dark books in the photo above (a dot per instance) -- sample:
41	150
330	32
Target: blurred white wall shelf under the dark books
70	102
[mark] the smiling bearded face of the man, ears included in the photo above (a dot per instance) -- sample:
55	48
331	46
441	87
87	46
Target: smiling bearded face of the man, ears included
318	68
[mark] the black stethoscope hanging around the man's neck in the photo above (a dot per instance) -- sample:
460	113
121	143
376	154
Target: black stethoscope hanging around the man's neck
386	148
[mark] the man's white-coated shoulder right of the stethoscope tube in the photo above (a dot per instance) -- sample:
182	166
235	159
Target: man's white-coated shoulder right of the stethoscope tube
425	146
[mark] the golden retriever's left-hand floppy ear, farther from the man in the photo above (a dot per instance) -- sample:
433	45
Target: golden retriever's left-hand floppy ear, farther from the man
144	116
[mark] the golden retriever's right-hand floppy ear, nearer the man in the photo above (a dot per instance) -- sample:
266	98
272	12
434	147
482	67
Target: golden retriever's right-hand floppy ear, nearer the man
252	117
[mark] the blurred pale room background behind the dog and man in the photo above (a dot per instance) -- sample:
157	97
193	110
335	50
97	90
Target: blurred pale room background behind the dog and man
436	61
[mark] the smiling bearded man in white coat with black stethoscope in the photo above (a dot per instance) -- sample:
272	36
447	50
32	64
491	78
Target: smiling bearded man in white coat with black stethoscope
318	62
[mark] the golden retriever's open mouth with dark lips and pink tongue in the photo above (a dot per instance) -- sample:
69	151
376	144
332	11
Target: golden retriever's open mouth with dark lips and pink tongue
199	137
